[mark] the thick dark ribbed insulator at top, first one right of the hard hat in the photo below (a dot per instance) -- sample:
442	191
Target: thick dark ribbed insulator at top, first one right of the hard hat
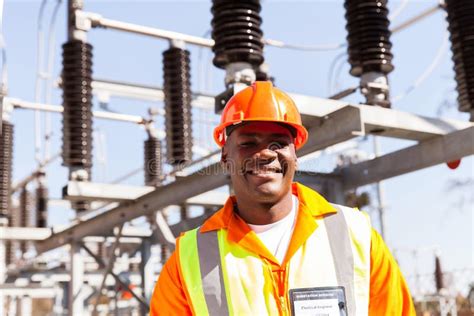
369	45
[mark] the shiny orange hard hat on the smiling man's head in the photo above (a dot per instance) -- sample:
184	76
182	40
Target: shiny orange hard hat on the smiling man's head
261	102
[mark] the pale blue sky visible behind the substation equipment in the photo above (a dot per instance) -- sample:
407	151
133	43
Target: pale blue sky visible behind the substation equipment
421	212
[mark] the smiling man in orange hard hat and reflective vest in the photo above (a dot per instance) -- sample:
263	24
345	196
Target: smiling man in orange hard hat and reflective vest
277	247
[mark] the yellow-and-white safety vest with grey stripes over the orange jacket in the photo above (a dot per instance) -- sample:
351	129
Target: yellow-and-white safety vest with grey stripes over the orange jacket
223	278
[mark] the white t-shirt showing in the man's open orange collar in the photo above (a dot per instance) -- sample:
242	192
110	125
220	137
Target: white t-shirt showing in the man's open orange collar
276	236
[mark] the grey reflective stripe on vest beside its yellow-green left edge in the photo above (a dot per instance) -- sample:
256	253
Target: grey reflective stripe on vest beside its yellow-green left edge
211	273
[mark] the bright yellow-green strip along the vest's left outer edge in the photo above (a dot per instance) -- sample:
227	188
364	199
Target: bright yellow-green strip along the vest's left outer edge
190	268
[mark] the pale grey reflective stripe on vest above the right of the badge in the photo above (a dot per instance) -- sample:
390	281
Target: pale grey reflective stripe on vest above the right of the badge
340	243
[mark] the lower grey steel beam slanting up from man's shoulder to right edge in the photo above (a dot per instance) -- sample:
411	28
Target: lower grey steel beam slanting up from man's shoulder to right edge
425	154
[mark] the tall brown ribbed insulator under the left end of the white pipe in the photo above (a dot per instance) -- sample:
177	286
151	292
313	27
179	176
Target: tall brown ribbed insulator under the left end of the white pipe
77	102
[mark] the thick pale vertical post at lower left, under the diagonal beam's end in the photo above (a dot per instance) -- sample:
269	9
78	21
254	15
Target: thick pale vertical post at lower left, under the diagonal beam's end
76	296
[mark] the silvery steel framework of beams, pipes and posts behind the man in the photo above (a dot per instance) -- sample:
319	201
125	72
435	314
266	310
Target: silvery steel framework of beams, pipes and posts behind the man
329	122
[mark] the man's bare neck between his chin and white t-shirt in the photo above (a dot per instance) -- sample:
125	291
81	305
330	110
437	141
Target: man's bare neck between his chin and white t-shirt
262	213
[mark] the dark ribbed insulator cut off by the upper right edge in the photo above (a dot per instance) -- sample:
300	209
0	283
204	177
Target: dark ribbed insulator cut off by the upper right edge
461	27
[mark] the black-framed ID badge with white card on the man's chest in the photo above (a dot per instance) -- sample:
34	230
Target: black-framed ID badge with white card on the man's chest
318	301
